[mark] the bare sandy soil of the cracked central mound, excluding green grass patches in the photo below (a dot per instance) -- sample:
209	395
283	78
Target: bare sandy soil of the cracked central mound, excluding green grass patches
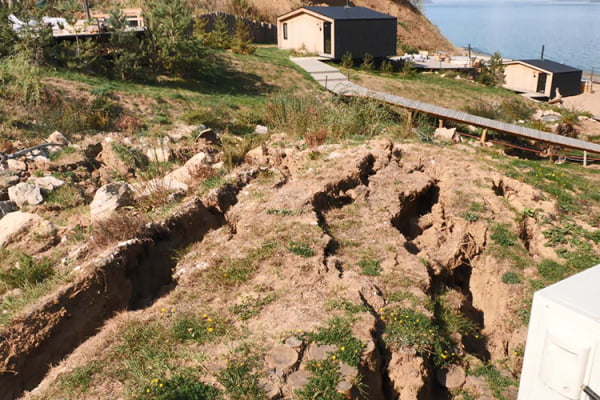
400	204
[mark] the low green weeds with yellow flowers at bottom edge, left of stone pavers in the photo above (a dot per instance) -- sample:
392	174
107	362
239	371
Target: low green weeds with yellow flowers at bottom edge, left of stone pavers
183	386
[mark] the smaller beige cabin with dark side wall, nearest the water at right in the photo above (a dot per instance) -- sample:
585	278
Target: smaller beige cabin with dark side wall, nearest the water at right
542	77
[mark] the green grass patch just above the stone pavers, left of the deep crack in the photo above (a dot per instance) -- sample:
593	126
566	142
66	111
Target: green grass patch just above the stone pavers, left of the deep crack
338	332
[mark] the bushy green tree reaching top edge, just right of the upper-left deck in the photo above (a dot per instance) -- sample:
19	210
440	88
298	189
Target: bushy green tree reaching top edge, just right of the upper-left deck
170	45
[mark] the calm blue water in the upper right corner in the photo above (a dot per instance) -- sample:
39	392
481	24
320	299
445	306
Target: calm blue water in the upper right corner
570	32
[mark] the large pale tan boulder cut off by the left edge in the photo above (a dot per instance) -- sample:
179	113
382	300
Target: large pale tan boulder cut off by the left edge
17	224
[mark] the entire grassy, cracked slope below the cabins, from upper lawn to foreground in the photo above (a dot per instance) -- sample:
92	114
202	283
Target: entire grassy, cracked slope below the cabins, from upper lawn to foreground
340	254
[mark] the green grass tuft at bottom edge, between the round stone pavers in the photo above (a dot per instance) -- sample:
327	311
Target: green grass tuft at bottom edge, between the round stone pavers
325	376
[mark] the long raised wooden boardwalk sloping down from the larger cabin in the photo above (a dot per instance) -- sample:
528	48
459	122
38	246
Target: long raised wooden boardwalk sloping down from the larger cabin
344	87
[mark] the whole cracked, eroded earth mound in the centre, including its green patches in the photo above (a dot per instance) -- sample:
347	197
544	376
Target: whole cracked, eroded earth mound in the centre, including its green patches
368	271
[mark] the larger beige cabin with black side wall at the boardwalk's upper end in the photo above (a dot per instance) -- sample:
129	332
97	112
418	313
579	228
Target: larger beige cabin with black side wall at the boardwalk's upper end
334	31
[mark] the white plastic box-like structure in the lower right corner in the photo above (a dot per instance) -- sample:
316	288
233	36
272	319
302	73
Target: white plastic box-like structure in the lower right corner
563	342
